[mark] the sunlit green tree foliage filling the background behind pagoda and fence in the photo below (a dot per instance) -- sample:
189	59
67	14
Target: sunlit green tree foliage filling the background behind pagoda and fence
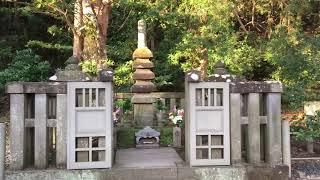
257	39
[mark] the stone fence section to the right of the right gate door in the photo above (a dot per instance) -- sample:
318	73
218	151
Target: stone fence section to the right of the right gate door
257	132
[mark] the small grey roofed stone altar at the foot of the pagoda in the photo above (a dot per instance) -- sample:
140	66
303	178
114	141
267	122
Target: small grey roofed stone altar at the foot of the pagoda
147	138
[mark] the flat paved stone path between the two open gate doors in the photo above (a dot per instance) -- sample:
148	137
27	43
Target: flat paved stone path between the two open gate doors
147	158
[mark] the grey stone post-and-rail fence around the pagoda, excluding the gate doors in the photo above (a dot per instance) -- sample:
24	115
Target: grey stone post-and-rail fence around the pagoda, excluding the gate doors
38	114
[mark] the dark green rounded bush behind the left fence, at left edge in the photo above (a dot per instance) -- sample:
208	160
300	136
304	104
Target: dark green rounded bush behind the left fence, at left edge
25	66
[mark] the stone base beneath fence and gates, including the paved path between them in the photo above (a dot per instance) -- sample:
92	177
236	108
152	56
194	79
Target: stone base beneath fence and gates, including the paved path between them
155	164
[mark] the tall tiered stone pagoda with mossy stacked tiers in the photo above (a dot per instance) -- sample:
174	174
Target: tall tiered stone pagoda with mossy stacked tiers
142	98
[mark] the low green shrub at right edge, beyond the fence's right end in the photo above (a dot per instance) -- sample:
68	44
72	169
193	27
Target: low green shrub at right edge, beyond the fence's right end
308	128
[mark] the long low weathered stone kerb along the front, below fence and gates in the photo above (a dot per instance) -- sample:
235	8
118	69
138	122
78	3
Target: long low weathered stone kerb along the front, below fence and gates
160	173
